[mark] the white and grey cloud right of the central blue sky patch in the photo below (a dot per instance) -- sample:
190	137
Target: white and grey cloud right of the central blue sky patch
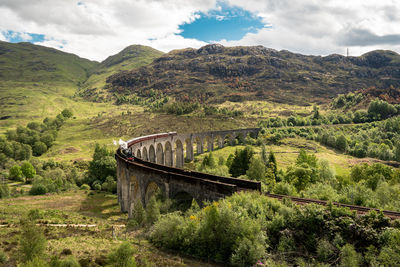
325	27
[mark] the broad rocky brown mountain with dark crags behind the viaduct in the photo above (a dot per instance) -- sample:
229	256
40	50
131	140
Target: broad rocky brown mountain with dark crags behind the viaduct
215	73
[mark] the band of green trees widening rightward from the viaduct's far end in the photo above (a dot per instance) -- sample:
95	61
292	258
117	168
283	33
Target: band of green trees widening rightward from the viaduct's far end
377	139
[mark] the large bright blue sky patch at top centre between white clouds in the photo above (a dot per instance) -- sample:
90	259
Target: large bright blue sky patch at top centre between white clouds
225	22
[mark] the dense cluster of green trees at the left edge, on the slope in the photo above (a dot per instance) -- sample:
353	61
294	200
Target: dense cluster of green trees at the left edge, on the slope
36	138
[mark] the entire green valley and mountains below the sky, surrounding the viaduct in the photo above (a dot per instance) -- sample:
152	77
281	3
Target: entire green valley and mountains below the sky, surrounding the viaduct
329	129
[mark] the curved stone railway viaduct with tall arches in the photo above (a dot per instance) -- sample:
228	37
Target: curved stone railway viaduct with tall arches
158	162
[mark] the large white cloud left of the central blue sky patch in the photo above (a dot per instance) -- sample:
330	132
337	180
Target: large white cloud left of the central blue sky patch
96	29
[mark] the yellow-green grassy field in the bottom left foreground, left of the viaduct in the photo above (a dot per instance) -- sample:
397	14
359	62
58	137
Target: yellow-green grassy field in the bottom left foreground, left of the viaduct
90	244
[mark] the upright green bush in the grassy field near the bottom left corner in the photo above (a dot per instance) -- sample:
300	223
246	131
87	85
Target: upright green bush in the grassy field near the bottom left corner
32	242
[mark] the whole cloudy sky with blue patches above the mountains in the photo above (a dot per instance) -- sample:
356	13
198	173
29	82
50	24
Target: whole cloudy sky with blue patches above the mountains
96	29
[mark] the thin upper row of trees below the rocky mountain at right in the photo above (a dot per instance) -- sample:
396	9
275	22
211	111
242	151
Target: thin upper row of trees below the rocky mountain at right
377	110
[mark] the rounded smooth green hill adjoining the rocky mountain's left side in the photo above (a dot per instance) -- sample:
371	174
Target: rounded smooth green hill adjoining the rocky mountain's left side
131	57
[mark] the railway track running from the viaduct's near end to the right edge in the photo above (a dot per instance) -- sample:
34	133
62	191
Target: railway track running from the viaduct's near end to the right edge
358	209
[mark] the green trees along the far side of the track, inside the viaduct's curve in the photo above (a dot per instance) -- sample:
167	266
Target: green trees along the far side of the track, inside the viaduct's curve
376	186
